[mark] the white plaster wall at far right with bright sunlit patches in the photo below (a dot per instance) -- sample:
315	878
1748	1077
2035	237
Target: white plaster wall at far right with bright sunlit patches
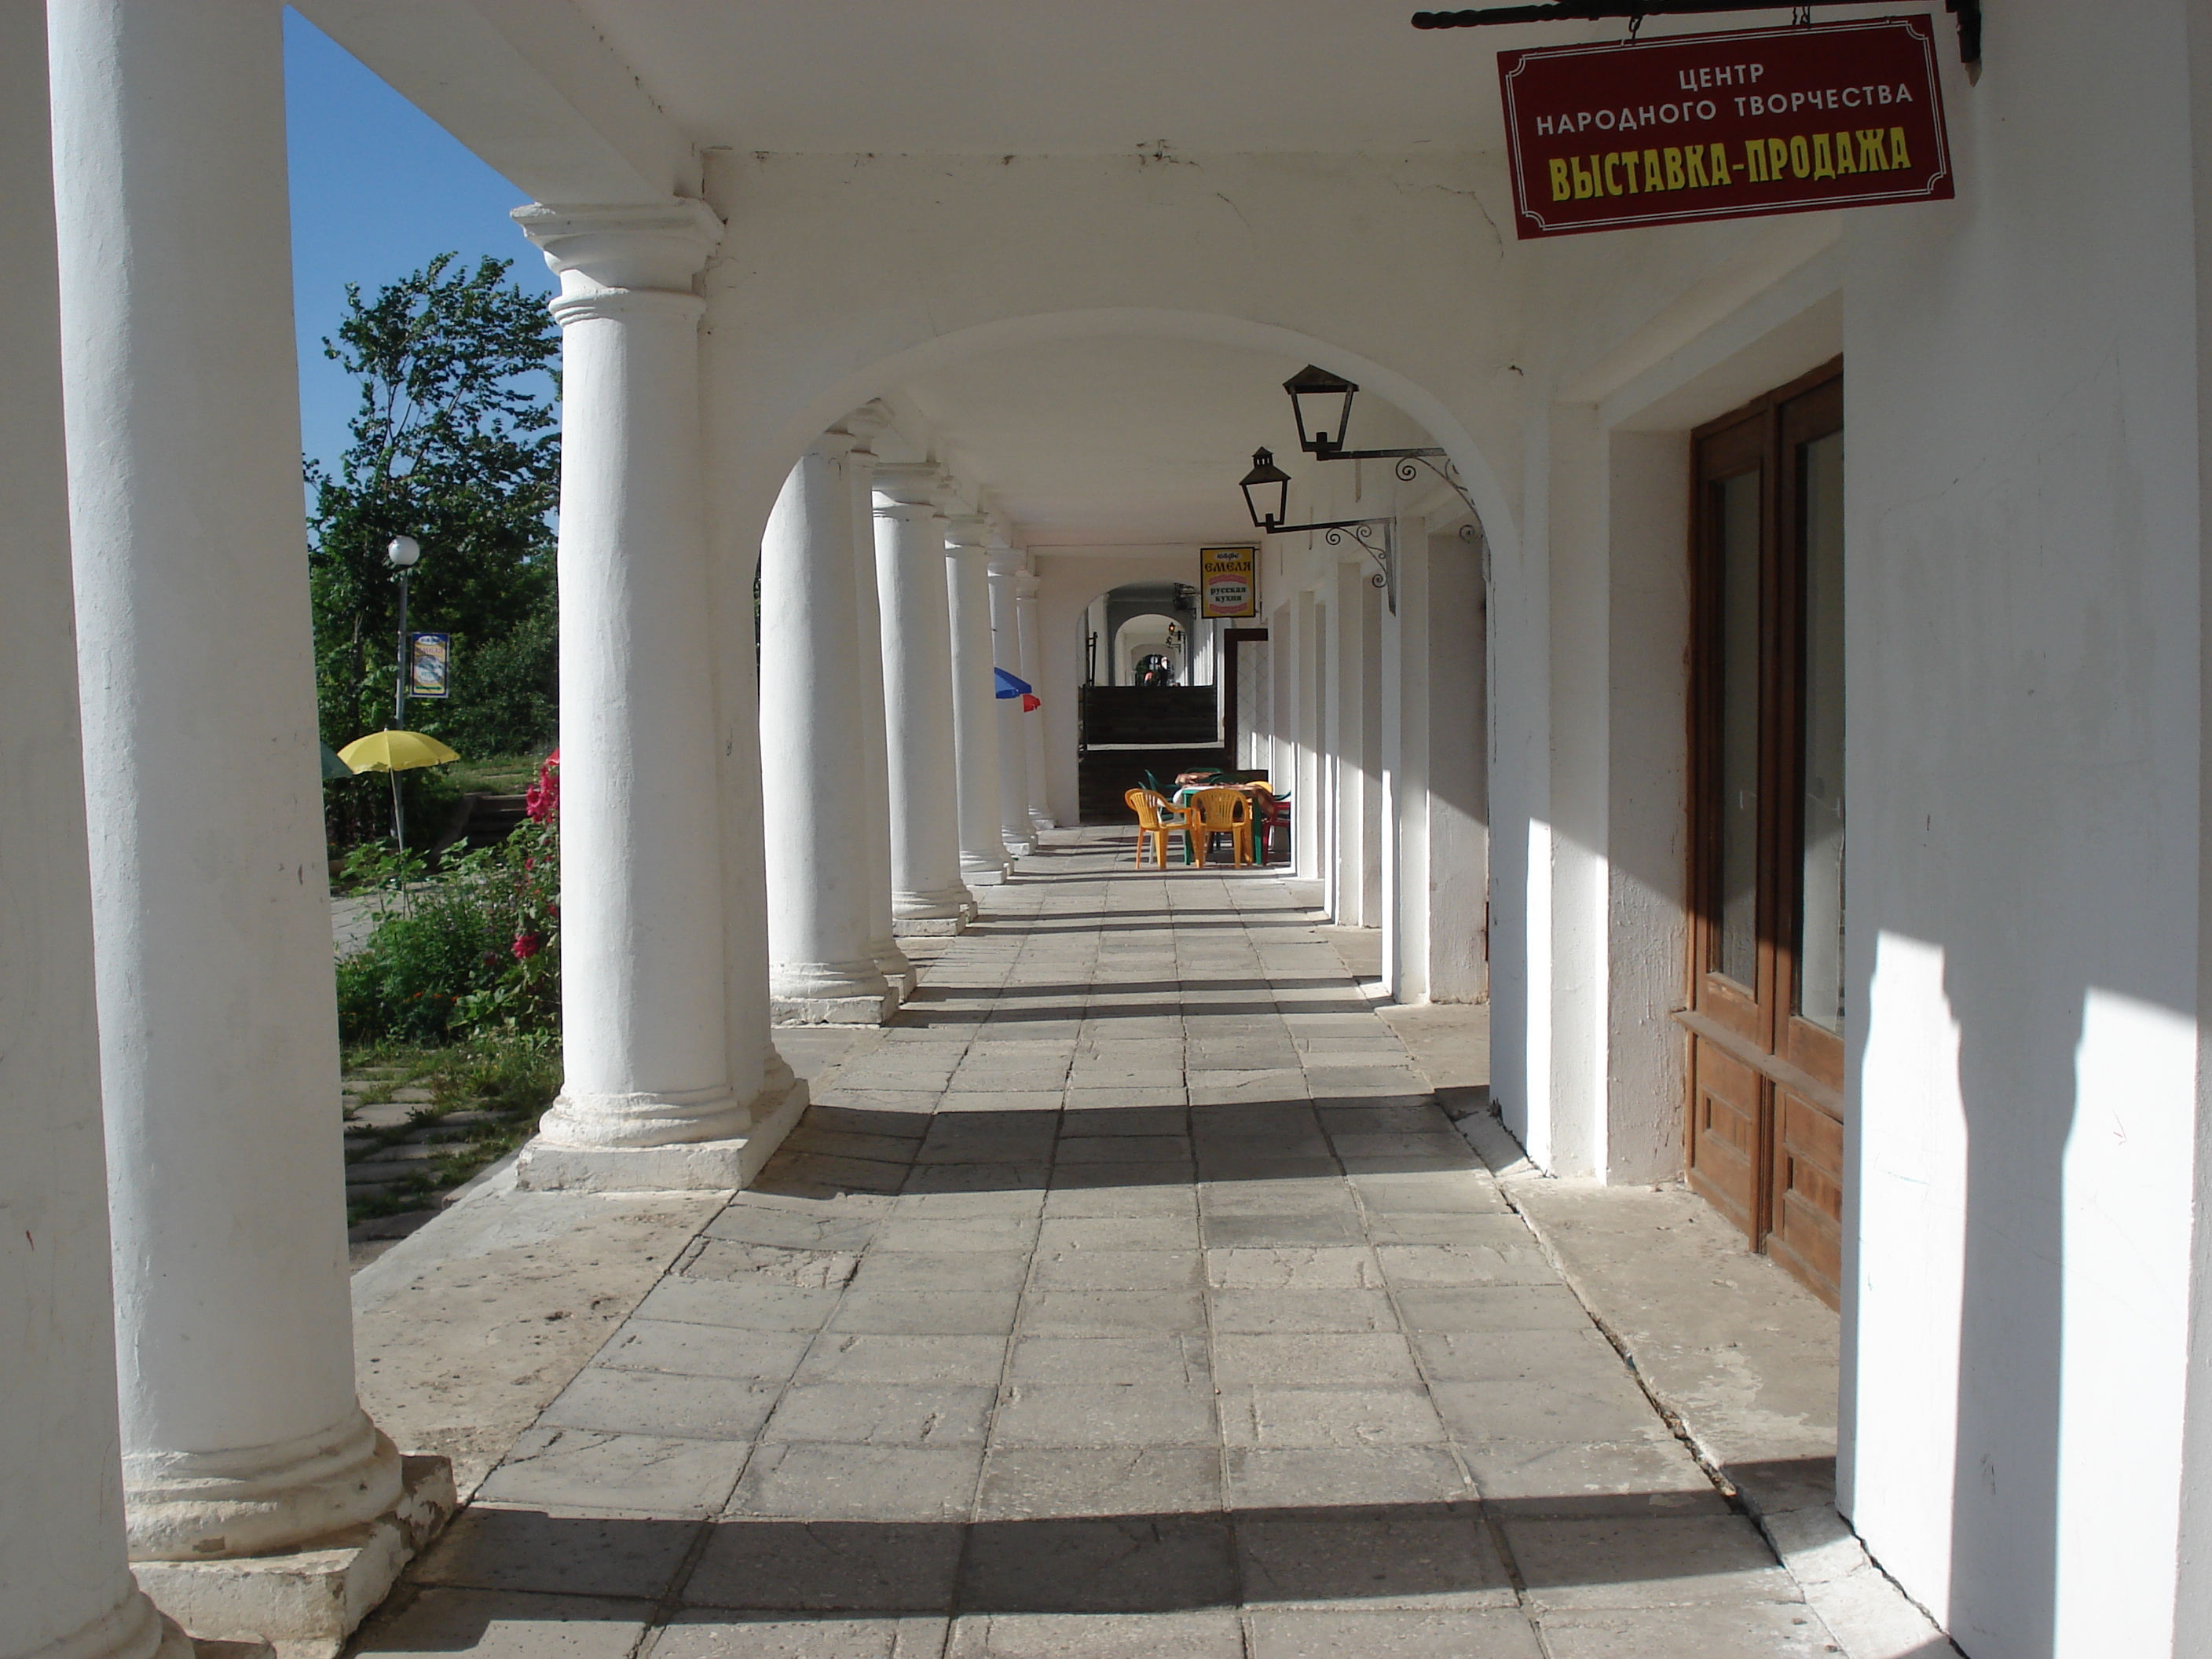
2025	747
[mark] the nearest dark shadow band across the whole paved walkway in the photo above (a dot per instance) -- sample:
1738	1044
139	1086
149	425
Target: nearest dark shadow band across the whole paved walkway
1428	1554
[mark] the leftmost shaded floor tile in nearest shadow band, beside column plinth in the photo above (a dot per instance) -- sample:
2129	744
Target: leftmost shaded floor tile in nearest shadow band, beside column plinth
574	1552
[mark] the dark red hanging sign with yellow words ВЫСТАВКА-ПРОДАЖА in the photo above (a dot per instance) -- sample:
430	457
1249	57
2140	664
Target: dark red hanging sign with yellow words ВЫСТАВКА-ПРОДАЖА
1724	127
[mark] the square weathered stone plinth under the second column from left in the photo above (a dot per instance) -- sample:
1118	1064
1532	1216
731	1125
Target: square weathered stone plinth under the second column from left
306	1603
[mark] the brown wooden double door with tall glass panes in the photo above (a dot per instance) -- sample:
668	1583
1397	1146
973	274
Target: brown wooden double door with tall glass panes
1766	999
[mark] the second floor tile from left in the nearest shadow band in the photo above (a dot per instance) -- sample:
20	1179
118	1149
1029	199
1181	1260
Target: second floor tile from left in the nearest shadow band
862	1567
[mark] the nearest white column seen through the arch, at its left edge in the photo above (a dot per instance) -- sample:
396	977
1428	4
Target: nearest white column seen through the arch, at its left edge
813	784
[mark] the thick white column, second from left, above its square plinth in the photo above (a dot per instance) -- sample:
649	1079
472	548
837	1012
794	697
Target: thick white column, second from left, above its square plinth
218	1032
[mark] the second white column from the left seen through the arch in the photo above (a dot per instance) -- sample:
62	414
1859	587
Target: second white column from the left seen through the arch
928	895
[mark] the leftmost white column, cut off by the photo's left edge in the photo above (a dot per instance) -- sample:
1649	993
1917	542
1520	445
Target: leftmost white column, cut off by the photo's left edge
67	1583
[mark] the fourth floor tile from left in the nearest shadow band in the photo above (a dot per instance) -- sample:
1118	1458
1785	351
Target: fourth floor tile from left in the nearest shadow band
1384	1558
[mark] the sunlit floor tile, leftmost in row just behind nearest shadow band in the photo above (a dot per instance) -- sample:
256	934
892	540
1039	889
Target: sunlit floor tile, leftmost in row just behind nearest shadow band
556	1468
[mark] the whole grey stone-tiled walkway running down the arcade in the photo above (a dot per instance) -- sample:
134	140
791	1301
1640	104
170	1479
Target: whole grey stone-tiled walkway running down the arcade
1129	1297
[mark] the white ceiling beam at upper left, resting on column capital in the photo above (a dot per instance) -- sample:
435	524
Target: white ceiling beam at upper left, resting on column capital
530	87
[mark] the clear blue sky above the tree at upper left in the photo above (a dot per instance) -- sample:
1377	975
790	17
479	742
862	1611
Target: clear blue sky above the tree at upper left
377	191
